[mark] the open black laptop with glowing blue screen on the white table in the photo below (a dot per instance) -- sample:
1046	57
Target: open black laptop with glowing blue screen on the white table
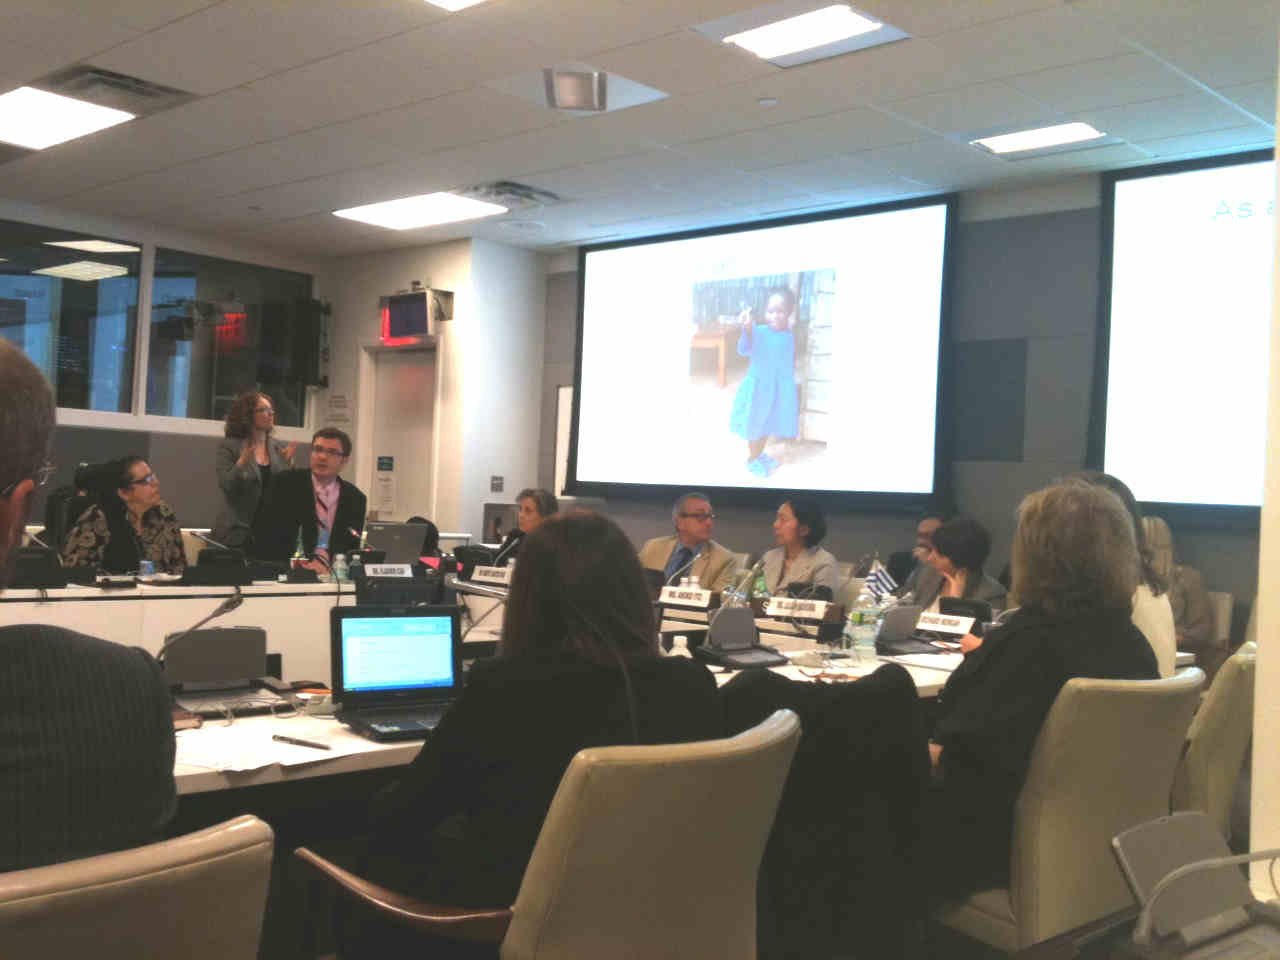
396	670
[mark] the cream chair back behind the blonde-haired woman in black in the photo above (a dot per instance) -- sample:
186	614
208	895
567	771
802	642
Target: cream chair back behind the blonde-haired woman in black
1103	764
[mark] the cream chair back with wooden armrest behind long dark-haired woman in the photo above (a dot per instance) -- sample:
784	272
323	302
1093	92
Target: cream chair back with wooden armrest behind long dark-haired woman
655	851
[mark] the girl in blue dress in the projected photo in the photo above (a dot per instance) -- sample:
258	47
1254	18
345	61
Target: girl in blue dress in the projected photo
767	403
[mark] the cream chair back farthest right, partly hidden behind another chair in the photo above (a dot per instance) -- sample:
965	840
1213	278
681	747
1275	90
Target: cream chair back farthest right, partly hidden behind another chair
1217	743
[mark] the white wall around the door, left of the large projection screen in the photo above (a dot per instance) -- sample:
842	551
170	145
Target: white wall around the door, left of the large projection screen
488	364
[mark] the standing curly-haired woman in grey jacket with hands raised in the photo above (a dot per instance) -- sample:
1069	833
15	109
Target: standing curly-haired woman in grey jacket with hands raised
246	461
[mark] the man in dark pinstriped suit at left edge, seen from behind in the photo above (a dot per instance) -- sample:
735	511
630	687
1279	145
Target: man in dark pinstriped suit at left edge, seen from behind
86	734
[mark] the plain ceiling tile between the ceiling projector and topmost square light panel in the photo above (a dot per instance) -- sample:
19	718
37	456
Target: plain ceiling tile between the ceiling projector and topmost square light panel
684	63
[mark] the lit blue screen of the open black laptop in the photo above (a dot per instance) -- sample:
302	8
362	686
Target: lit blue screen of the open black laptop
397	653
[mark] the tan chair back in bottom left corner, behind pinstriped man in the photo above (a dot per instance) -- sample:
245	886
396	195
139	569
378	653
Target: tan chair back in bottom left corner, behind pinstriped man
198	898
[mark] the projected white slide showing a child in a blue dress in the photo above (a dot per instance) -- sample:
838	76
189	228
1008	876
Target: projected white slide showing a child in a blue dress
801	358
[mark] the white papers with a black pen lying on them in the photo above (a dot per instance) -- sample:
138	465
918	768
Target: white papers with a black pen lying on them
249	747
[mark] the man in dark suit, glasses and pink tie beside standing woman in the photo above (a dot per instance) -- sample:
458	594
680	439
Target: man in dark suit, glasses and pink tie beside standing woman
317	505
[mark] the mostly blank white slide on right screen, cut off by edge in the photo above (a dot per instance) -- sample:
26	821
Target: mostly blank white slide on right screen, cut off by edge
1191	316
